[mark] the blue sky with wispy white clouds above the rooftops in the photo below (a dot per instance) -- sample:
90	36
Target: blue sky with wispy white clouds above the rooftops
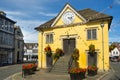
29	14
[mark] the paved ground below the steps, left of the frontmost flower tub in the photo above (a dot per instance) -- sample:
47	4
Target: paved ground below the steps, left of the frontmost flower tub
41	75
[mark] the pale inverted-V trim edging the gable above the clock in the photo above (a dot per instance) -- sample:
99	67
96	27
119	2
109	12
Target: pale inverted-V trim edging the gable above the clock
67	6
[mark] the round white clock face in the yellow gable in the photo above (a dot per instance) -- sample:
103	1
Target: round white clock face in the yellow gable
68	17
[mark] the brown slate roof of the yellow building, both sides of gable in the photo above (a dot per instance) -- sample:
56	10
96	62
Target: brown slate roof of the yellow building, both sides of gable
88	13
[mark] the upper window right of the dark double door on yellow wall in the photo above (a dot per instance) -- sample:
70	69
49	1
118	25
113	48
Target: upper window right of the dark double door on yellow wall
91	34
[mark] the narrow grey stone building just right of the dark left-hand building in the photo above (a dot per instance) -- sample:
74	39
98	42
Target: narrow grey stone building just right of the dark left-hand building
19	45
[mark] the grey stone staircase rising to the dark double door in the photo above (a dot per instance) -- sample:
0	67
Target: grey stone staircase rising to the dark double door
61	66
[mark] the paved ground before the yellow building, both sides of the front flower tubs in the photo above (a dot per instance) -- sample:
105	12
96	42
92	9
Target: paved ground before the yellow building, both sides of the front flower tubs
41	75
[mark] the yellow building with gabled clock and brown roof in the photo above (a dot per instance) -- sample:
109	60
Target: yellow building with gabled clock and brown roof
76	29
